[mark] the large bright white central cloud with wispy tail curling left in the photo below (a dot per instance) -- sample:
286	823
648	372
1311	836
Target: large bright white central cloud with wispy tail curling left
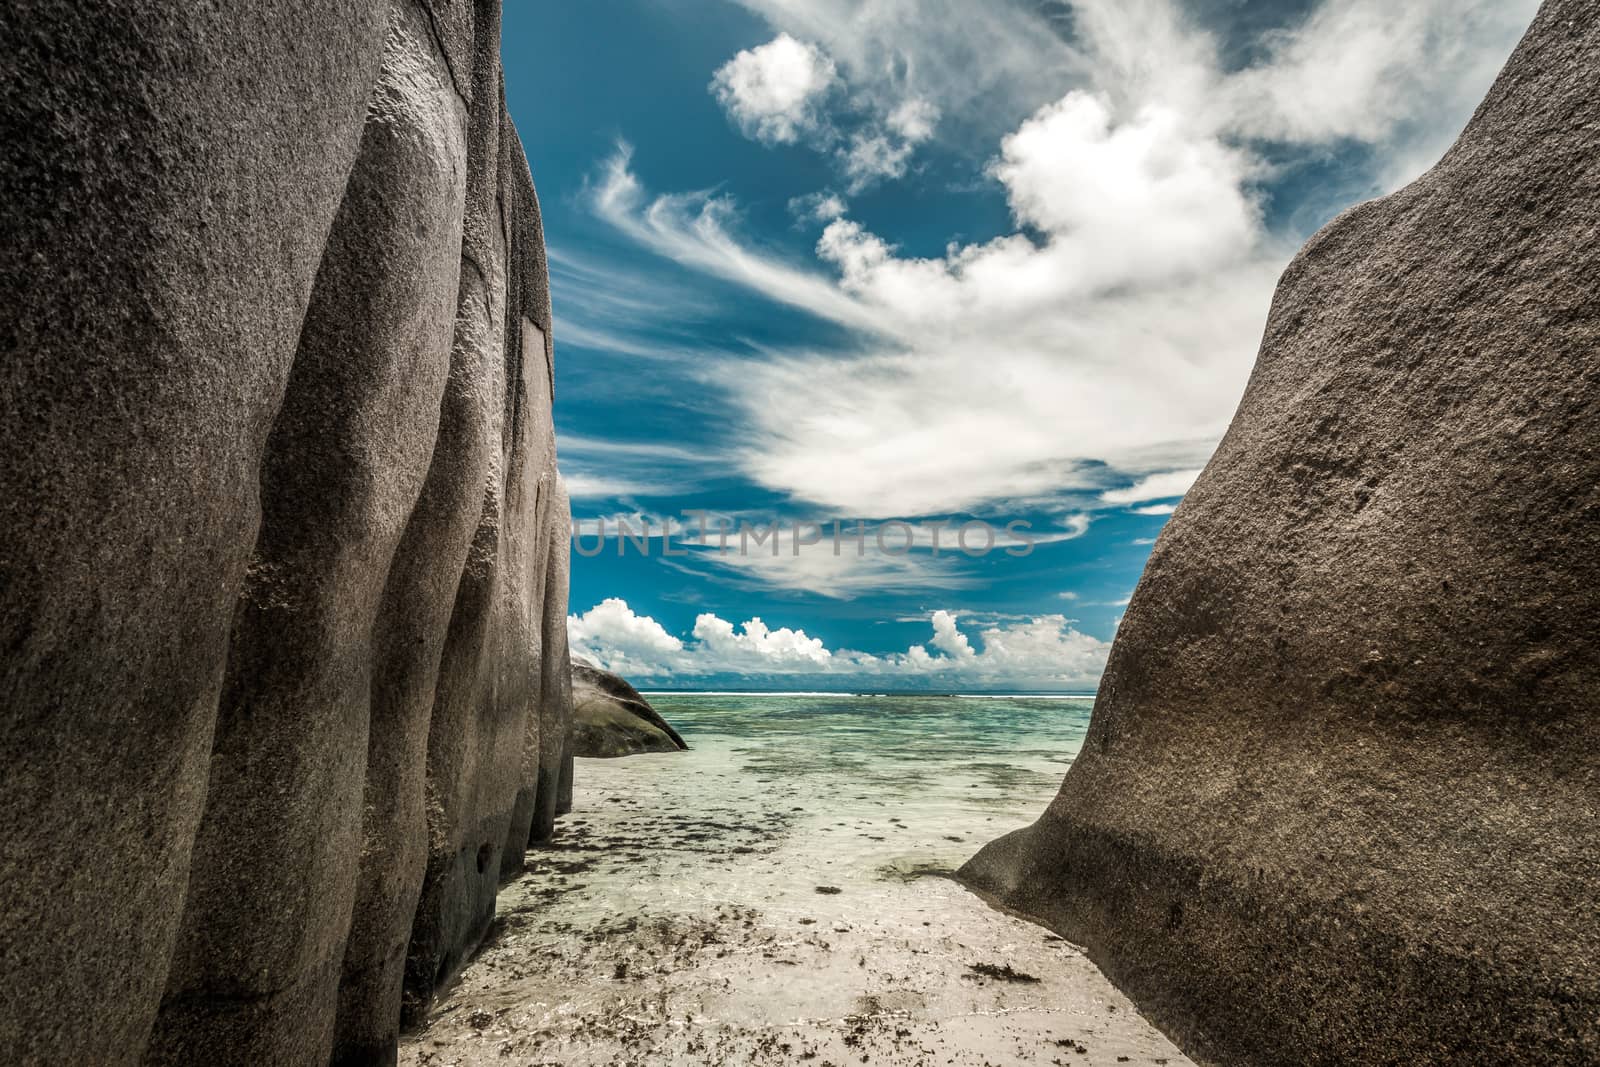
1140	322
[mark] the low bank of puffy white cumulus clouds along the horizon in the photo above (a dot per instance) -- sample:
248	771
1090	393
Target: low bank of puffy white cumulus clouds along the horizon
1042	652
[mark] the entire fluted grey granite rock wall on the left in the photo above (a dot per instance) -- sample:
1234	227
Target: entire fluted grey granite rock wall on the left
281	513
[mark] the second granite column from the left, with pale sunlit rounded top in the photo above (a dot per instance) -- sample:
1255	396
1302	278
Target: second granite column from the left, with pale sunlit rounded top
258	959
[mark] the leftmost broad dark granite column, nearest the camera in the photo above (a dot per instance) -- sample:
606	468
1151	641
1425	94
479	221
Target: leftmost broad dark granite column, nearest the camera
167	190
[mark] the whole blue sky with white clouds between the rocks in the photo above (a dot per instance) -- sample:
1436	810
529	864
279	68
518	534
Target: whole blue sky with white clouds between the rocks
932	262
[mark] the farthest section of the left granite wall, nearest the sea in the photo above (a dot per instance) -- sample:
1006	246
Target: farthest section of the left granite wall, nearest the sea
487	713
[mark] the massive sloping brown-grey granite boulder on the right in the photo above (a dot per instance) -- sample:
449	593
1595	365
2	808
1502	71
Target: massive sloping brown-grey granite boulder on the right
1340	796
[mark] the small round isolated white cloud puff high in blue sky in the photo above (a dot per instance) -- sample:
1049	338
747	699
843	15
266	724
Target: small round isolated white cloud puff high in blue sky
772	92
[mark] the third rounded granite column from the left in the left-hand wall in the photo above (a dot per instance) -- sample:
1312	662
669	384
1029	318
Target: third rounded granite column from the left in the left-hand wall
425	575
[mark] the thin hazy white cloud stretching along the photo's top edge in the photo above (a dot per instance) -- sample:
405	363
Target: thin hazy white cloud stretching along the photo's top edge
1402	74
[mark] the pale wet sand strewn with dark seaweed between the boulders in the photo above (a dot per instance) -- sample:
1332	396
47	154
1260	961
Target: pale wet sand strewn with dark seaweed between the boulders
698	911
